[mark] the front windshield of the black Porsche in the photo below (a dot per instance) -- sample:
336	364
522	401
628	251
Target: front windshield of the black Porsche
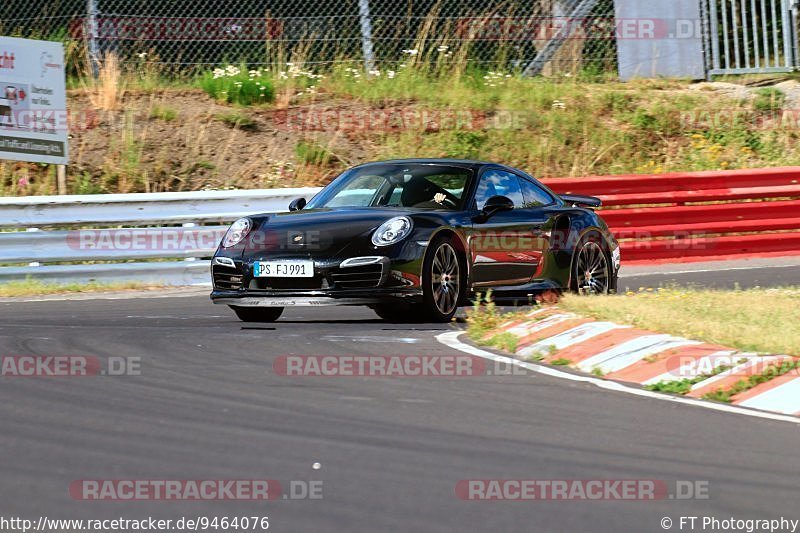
414	185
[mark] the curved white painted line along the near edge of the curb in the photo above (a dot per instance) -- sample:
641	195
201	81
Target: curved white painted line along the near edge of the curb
450	339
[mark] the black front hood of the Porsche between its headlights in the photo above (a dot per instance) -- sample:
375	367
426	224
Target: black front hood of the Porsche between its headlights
315	232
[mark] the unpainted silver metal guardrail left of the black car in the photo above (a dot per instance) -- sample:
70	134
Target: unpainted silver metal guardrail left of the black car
133	236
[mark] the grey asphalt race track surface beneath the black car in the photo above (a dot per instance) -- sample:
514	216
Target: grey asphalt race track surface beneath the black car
208	405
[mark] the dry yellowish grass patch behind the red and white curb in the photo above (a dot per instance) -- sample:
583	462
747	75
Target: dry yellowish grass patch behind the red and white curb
758	320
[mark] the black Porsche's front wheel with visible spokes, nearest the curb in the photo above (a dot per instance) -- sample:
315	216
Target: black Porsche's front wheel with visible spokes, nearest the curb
442	281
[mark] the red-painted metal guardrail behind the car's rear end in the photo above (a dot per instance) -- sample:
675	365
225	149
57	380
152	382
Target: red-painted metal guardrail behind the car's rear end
736	213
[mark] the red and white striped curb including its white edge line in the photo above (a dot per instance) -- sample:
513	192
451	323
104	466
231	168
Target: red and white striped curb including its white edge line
624	354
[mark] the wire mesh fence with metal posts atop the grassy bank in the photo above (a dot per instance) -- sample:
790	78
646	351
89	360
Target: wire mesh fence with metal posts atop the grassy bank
548	37
